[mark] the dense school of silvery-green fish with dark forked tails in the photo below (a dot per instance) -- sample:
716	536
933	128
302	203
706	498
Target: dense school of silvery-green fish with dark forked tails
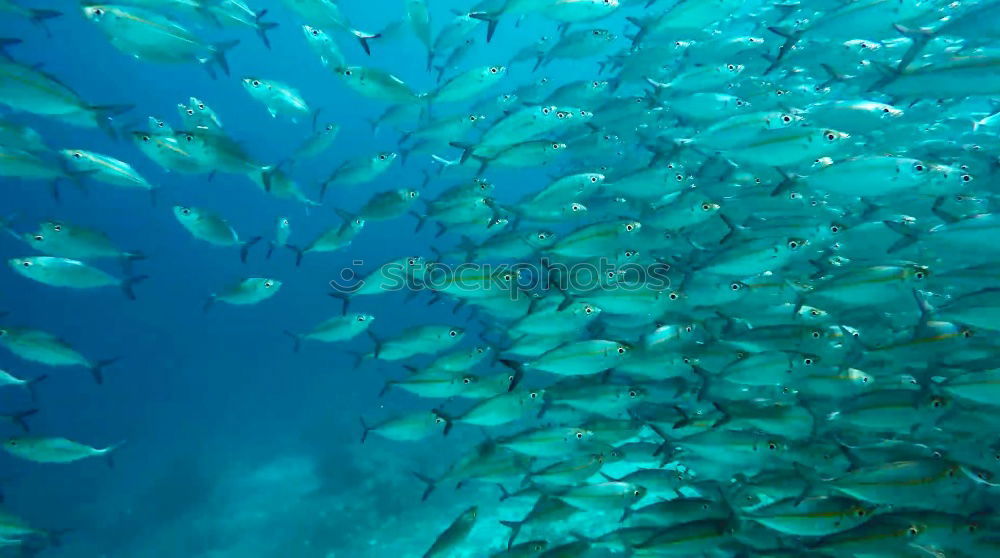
743	306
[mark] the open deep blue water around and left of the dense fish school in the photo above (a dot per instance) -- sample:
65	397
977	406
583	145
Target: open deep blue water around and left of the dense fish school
235	445
